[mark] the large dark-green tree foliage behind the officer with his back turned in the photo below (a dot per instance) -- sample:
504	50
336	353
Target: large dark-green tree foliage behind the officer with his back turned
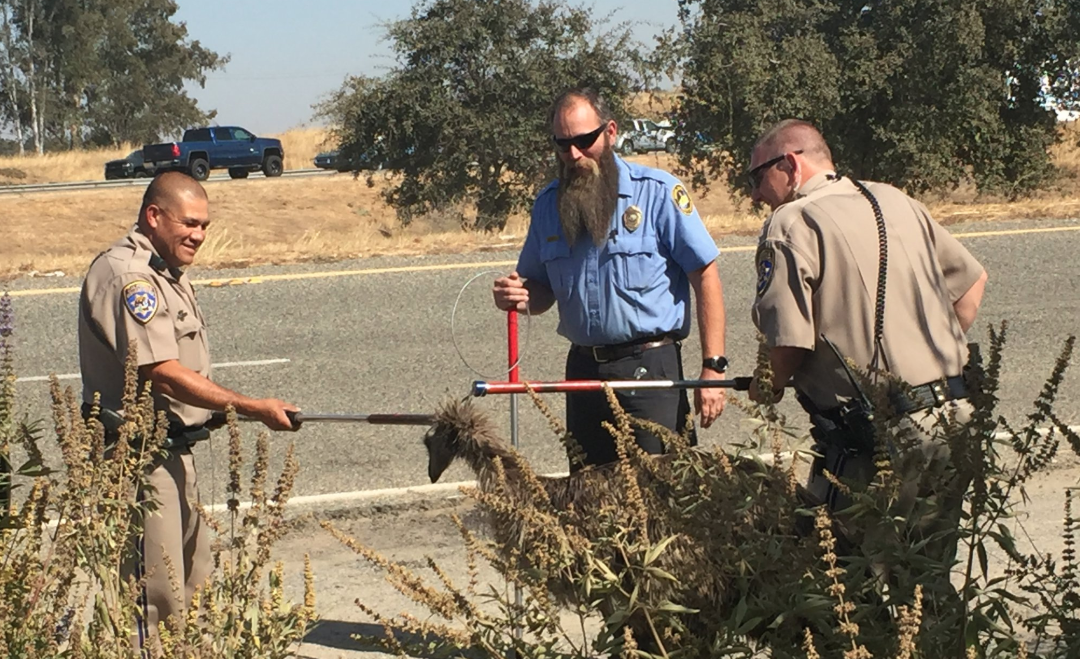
921	93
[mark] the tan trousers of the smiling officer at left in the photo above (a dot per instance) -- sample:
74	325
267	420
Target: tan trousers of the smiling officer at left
174	531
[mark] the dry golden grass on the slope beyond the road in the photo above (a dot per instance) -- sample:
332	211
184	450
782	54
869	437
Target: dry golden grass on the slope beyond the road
337	218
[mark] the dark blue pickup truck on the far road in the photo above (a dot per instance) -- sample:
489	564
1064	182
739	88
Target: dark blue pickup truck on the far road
218	149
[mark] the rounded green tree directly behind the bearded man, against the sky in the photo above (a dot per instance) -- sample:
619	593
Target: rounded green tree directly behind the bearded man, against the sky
463	114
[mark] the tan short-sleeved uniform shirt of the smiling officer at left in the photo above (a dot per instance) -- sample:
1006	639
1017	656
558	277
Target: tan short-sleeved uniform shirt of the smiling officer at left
131	295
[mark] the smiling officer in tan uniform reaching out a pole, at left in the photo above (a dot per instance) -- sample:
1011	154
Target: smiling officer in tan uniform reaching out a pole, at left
138	291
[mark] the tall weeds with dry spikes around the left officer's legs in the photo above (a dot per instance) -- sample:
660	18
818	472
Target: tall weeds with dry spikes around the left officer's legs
65	532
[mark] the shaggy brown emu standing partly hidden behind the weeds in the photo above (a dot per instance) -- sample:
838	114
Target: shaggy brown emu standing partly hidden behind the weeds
463	433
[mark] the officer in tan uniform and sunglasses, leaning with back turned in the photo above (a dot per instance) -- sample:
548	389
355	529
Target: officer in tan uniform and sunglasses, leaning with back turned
820	286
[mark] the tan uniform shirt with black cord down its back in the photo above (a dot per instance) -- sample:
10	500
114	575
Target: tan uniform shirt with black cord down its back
818	268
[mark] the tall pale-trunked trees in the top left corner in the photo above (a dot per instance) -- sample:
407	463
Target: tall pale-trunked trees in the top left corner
100	71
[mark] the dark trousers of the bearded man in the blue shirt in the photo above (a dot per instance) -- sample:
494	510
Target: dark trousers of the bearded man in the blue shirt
587	411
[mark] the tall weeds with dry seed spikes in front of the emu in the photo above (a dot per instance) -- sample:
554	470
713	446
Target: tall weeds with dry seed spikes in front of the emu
723	554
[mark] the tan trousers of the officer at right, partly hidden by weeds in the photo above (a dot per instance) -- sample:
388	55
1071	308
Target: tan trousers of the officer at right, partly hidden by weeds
931	491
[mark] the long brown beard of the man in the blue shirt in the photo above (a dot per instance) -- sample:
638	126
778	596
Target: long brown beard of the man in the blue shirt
588	195
